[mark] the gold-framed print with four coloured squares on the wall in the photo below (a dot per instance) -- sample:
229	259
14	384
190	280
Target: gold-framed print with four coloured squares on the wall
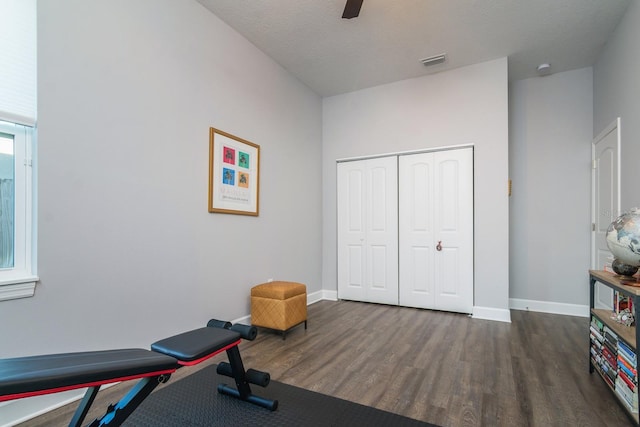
234	174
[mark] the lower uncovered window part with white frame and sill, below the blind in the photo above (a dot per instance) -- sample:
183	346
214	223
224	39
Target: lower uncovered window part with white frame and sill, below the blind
16	219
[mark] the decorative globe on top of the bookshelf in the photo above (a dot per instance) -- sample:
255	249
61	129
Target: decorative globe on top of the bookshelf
623	238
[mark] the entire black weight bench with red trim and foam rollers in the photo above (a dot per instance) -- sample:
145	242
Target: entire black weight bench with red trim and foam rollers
37	375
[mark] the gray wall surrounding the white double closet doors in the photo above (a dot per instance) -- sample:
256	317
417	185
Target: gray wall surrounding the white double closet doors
464	106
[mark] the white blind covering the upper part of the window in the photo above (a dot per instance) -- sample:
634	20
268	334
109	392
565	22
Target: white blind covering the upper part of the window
18	65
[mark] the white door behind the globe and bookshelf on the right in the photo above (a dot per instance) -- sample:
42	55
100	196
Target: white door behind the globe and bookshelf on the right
605	207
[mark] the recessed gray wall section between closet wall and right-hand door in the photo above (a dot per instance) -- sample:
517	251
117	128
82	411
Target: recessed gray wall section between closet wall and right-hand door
550	122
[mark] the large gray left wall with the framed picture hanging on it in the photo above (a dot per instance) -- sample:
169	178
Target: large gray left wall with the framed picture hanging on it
128	253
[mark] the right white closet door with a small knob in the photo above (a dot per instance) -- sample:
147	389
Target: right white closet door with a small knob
436	230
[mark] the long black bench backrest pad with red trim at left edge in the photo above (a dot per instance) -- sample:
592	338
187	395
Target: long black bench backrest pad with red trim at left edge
53	372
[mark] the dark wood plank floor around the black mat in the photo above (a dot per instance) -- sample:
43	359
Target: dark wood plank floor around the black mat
444	368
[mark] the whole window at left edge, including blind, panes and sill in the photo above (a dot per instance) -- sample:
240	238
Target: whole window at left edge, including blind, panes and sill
17	142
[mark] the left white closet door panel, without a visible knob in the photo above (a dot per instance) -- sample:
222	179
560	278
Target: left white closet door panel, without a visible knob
368	230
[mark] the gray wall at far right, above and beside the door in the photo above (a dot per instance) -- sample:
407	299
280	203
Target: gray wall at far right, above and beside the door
616	93
